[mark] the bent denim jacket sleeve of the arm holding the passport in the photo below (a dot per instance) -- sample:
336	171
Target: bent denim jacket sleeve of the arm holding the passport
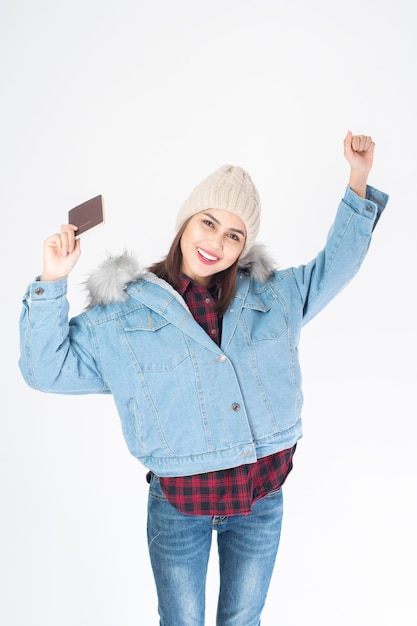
54	358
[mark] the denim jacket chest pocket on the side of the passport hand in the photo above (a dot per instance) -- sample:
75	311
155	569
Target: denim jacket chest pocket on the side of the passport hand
156	344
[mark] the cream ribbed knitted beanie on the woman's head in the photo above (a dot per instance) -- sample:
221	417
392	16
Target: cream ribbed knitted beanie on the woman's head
229	188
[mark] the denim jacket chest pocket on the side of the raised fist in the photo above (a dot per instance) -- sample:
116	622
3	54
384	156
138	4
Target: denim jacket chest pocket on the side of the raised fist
264	316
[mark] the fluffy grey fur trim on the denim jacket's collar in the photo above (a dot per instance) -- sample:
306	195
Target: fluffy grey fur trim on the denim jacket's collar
108	282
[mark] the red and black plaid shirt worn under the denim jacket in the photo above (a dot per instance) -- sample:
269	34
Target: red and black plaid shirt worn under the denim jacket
231	491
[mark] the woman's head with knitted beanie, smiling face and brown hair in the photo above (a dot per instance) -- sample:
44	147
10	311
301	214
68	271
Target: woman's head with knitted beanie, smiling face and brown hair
223	212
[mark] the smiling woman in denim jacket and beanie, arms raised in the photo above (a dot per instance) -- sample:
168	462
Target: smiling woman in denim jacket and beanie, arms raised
200	353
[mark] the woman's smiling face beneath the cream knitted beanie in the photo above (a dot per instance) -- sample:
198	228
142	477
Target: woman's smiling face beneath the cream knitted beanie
211	242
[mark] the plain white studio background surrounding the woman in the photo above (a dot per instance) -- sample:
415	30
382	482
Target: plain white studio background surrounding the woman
139	101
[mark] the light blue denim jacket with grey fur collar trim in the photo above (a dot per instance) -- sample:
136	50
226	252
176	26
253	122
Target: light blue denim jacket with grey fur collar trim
187	405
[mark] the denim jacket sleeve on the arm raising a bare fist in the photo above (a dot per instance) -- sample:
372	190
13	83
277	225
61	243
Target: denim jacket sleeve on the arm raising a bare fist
320	280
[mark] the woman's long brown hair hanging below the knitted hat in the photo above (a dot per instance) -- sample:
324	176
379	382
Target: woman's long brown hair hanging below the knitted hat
170	270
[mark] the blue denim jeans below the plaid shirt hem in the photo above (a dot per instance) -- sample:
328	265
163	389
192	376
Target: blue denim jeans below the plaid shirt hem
179	548
